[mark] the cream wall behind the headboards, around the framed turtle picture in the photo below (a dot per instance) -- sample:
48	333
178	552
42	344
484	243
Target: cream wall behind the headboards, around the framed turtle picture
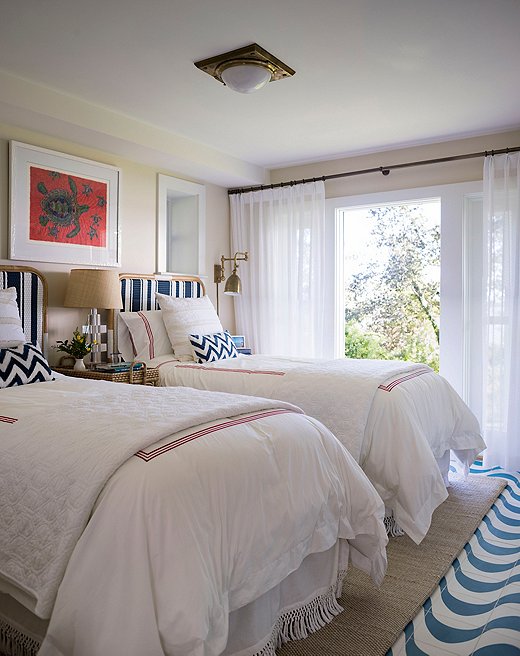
138	191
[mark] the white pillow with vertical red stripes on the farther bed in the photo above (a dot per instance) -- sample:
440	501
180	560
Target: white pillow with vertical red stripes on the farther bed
148	334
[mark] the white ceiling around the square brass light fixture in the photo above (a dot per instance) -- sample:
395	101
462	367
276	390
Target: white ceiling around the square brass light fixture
370	75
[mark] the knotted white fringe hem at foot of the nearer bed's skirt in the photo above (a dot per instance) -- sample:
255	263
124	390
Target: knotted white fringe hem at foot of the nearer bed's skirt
299	623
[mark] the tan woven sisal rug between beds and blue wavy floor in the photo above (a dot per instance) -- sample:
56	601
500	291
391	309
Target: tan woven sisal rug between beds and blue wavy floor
374	618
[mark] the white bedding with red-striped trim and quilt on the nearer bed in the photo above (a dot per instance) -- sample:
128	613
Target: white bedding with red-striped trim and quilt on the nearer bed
152	552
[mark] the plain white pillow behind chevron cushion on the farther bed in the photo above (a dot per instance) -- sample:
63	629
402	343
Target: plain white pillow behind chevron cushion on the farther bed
187	316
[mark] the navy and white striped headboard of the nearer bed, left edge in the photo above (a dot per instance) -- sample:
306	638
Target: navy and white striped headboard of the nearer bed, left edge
31	291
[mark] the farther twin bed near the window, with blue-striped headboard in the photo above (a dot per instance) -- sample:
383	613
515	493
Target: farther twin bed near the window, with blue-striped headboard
401	421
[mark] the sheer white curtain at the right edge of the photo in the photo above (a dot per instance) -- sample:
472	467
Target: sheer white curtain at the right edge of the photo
501	321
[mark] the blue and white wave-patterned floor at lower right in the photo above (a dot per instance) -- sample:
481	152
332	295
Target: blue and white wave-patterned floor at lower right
476	608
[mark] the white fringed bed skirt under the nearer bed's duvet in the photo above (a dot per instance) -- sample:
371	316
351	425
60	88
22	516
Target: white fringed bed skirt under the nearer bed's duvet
302	603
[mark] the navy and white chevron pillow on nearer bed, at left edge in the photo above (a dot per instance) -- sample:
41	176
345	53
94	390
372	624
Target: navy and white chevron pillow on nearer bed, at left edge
22	365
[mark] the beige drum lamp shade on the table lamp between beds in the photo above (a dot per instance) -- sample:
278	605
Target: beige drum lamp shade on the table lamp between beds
93	288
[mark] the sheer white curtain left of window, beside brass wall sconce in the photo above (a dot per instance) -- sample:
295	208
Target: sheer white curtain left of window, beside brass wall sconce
281	309
